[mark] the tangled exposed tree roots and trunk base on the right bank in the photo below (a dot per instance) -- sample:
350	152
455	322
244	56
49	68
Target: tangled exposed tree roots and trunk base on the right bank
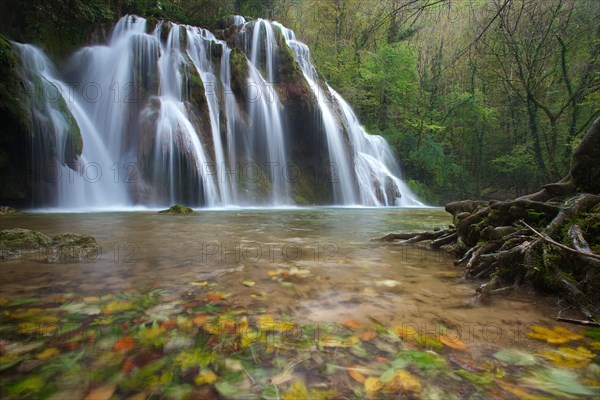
537	239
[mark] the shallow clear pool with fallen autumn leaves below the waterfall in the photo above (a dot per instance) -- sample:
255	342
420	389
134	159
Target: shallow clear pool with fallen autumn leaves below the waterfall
391	319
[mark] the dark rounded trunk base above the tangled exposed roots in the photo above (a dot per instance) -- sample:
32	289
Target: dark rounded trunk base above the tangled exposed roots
585	166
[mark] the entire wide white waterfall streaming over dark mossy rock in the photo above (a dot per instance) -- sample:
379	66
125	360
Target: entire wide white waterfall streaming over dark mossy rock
172	113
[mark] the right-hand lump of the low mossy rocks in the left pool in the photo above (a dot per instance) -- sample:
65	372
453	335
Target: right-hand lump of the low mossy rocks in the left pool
72	248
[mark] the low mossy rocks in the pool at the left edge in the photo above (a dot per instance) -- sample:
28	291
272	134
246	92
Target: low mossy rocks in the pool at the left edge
63	249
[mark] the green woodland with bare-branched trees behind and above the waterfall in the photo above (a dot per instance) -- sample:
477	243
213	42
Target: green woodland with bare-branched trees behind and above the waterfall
479	99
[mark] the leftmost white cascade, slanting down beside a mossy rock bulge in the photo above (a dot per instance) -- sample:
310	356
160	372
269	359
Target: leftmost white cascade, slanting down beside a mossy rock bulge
80	182
